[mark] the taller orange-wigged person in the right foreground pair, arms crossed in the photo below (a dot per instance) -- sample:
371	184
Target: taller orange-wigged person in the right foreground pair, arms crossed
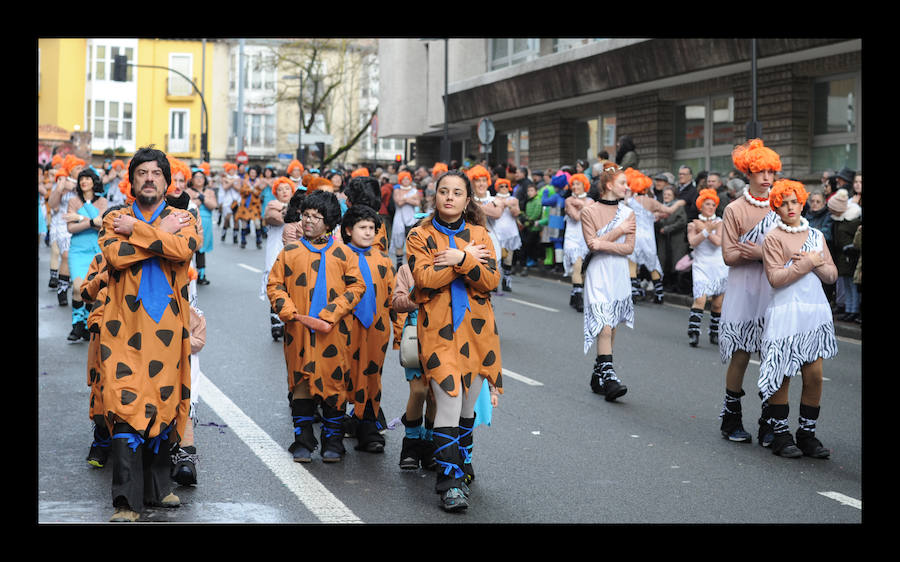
745	224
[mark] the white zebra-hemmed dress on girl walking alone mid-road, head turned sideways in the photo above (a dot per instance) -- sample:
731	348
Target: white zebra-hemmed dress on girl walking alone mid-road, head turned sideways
607	287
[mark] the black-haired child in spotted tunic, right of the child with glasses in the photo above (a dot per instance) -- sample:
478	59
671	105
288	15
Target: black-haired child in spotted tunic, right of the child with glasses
371	326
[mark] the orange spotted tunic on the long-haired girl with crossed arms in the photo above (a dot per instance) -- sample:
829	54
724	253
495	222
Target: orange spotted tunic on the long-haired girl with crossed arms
451	358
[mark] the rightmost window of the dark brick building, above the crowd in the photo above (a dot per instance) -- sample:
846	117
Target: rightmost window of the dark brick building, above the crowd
836	141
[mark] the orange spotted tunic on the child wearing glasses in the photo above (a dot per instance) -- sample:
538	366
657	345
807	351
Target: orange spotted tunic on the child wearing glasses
322	359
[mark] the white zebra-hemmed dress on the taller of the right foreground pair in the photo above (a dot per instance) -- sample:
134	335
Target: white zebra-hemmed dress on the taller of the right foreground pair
746	300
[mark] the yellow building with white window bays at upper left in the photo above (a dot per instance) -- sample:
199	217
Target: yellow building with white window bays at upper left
153	106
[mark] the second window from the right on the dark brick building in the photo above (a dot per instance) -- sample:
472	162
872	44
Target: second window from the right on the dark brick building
704	133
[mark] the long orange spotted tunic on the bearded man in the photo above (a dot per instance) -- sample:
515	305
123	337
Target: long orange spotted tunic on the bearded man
145	368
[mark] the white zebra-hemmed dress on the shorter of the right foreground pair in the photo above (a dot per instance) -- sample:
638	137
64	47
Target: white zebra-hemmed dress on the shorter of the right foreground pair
798	327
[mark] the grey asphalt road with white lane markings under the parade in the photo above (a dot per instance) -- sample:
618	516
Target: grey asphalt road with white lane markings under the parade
555	453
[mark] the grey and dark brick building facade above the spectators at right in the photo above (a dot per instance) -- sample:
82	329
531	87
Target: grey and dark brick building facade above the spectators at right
682	101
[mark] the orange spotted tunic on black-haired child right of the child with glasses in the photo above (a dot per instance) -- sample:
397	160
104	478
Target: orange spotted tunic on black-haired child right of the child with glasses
370	344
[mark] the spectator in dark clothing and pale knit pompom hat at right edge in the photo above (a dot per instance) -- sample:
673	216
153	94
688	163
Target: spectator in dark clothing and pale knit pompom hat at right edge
847	217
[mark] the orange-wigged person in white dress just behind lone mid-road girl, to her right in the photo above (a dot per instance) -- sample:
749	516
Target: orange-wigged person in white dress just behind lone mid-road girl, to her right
645	255
